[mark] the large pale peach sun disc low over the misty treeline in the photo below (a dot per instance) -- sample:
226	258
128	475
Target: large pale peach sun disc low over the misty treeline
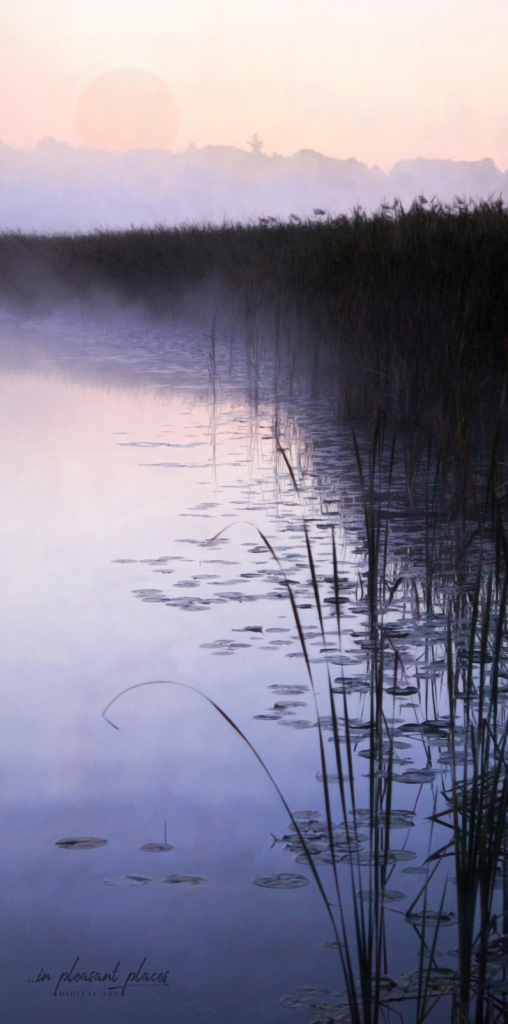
128	109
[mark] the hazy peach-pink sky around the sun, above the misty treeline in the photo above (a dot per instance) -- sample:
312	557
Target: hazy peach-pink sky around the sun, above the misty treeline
379	80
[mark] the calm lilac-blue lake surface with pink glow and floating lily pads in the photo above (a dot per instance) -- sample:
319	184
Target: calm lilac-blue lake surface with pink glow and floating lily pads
141	475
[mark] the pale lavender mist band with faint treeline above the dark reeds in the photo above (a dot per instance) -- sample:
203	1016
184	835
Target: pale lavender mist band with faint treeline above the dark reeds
57	188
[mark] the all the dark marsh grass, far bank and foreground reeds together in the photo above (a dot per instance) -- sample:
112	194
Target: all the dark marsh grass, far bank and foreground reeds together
407	314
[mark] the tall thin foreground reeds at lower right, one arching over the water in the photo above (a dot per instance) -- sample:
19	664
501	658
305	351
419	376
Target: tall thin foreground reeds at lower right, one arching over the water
474	807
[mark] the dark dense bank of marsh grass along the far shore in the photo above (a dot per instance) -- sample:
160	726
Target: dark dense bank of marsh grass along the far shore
407	309
